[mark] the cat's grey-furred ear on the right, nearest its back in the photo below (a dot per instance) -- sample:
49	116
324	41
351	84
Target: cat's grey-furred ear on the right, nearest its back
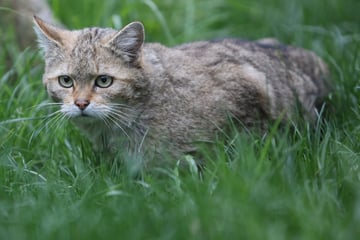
128	41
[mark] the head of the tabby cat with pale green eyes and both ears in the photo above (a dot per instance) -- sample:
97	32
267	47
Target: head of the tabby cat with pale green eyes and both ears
91	70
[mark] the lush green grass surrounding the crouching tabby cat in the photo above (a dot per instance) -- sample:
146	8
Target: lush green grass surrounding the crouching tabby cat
295	183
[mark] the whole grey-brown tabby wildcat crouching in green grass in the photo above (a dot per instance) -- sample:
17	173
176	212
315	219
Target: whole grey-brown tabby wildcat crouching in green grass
145	98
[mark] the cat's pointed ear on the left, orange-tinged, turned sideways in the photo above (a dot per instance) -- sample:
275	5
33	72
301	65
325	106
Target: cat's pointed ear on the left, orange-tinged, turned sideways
48	35
